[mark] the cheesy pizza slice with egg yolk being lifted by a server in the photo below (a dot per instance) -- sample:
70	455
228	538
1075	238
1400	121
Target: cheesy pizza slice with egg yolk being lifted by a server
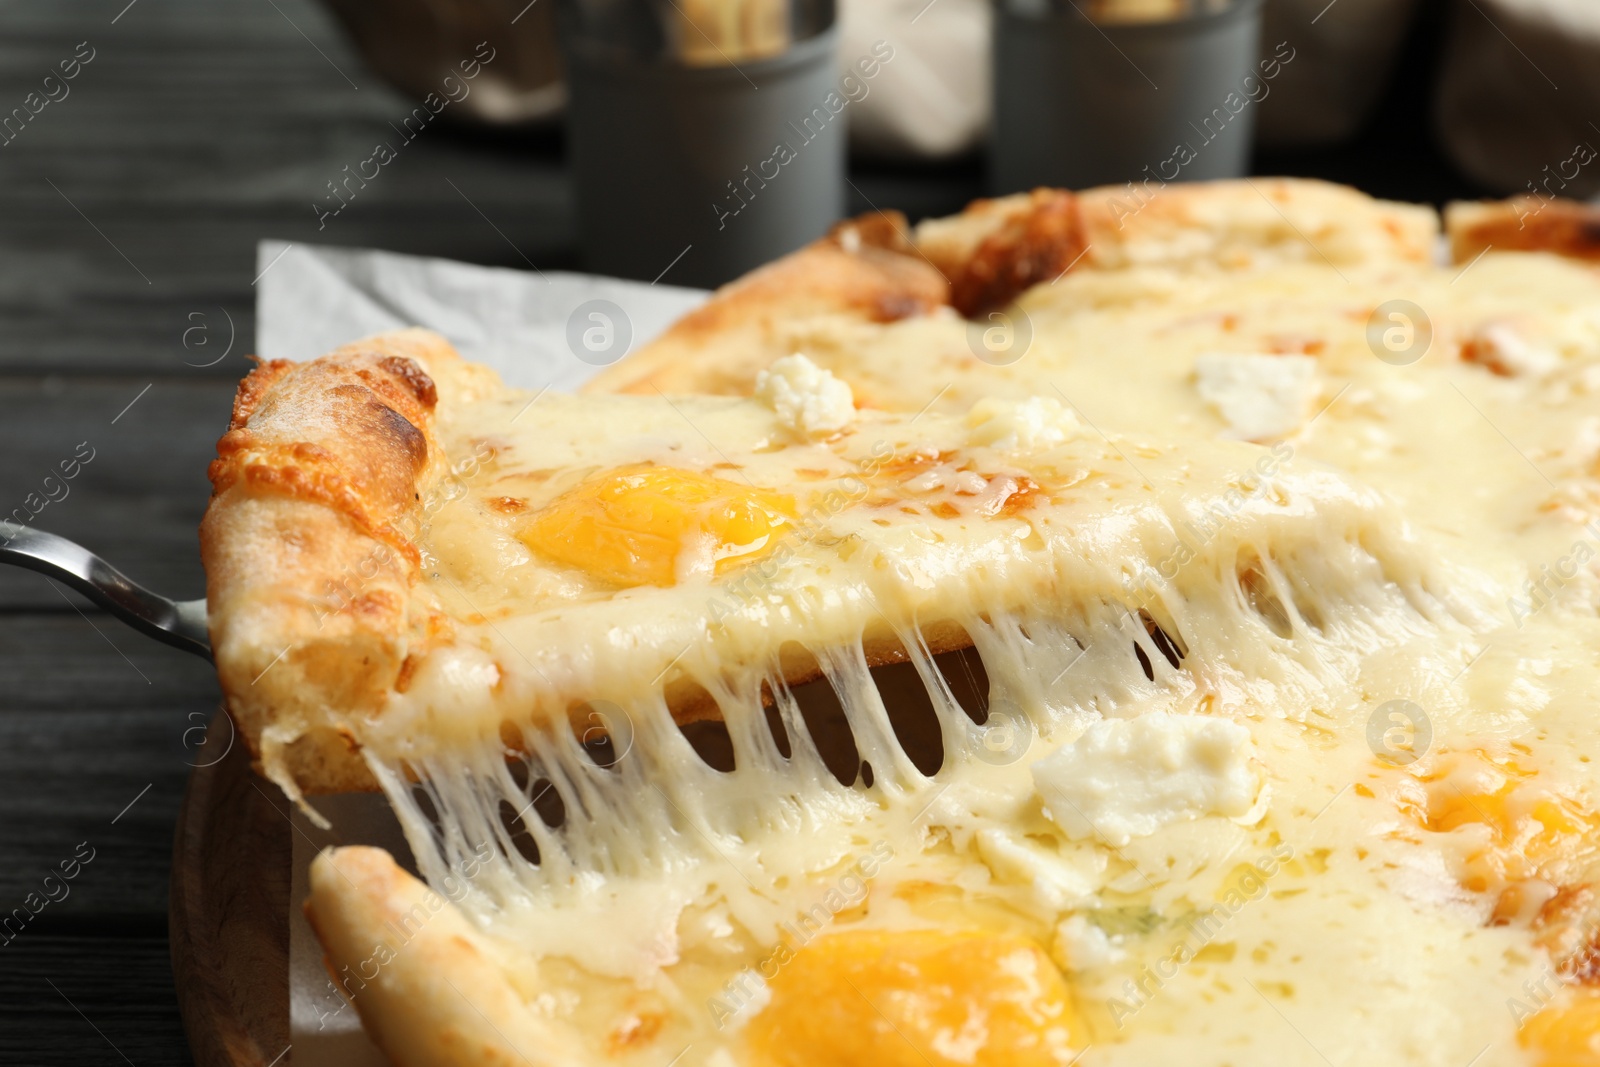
407	557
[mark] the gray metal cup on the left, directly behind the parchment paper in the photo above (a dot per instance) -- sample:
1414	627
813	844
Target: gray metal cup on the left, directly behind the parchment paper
698	175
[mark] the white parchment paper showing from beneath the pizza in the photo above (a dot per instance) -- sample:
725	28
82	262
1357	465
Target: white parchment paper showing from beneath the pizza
538	330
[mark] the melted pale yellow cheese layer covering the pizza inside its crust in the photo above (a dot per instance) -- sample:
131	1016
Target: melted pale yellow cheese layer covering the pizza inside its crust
1212	649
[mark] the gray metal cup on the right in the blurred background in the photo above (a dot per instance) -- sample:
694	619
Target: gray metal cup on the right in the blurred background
1082	105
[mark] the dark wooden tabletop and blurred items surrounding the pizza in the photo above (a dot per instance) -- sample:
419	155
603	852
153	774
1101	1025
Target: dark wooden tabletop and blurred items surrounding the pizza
146	148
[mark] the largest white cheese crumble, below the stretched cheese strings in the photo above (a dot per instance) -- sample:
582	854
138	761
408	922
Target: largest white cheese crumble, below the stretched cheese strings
1130	777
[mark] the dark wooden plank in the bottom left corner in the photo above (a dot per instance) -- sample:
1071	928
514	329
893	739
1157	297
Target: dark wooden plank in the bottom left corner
90	1001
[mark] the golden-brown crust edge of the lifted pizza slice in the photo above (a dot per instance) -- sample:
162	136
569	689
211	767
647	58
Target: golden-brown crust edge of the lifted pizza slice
308	551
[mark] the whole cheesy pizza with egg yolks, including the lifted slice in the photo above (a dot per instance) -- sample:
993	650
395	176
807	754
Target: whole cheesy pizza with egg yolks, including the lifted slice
1079	631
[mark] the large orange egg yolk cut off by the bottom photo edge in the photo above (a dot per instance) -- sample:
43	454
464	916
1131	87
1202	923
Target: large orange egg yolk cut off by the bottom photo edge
918	999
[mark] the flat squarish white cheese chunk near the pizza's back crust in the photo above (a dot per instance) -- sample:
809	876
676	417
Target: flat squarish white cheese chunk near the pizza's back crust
1262	398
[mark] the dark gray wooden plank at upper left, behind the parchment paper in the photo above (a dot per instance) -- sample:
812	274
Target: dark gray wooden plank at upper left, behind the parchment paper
199	130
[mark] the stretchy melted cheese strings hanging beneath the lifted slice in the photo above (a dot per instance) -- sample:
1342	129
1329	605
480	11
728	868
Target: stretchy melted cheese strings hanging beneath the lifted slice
1284	621
